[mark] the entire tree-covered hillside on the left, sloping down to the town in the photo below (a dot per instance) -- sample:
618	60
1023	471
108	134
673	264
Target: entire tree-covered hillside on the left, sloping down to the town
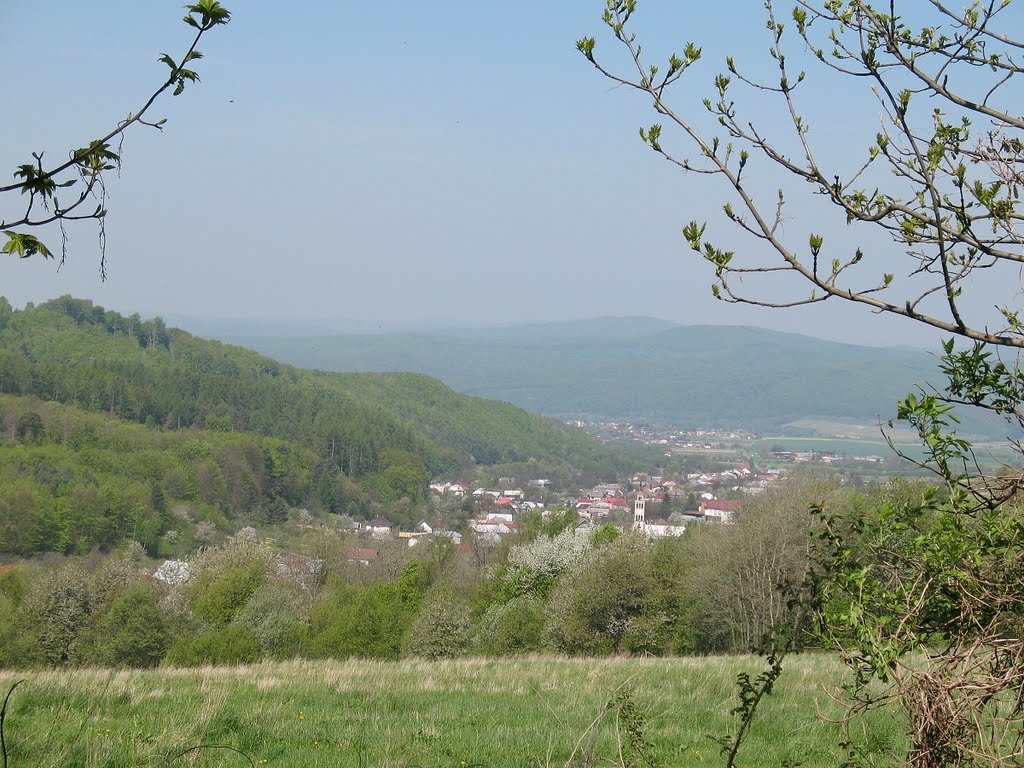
153	417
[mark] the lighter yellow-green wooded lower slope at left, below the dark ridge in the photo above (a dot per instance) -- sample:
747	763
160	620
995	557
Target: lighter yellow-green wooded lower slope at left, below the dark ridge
92	482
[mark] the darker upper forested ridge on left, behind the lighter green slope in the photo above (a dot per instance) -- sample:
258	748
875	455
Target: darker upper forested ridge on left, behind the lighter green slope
74	353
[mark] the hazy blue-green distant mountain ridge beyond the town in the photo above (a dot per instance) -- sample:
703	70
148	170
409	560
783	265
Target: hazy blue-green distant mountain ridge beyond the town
639	370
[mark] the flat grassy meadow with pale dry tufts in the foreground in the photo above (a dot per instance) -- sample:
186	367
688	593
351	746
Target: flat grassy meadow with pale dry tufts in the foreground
488	713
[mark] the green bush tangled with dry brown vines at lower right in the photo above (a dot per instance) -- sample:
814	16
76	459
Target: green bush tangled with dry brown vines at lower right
921	595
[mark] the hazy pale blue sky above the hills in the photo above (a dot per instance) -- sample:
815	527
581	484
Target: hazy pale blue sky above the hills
402	164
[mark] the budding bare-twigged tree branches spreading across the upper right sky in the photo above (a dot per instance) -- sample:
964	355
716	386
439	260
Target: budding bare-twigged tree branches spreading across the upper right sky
946	192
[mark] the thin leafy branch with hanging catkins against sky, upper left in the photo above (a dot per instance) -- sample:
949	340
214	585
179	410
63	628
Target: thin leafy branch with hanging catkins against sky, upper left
79	181
